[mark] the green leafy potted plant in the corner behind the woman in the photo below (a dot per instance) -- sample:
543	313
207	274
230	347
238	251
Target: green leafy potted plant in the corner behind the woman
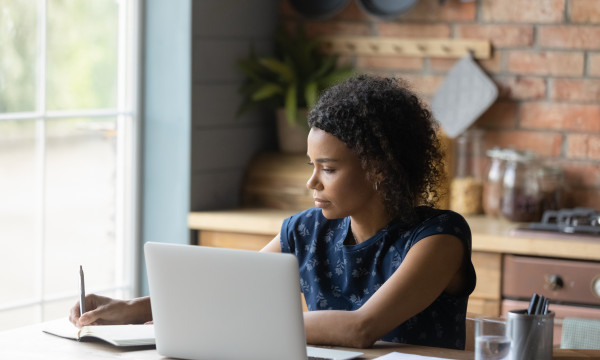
289	82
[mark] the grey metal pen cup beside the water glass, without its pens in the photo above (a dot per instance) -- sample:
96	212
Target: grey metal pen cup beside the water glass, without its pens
531	335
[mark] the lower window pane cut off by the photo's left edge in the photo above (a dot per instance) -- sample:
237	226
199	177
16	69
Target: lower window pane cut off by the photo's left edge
18	193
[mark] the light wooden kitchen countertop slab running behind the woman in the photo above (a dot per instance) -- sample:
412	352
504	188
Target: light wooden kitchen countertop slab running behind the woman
490	235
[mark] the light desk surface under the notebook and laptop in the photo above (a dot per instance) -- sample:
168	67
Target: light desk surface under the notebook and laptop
31	343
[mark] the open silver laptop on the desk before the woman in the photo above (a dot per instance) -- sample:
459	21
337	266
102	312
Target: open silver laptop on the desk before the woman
223	304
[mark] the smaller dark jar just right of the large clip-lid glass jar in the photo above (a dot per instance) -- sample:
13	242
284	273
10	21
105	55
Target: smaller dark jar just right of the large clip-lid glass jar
552	187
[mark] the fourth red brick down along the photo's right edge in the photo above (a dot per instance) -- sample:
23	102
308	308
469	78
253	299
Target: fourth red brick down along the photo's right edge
580	90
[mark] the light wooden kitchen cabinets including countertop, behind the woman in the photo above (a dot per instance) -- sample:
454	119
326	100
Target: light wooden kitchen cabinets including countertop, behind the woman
494	240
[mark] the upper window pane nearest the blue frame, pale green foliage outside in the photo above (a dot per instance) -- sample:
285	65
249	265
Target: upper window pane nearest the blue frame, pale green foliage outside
82	40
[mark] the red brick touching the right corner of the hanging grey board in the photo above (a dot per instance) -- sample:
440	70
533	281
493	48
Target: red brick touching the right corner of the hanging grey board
521	87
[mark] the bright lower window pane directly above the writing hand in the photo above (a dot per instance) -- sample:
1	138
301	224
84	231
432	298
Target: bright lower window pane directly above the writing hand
80	203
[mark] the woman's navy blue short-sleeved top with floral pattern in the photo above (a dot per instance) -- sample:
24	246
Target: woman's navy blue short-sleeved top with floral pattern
334	276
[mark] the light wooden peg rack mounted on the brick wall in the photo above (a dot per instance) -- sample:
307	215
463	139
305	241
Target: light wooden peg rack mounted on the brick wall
386	46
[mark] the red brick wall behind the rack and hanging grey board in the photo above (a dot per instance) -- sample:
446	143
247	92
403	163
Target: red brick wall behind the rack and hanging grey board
546	63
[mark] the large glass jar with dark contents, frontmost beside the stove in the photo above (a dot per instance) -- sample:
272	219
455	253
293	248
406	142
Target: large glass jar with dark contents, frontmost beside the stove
521	192
